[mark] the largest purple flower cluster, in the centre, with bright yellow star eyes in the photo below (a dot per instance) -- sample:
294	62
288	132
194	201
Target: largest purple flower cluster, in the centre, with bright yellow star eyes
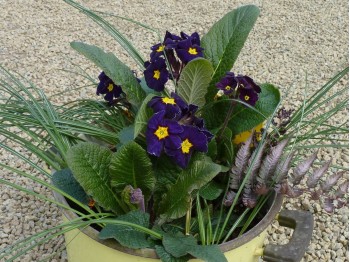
175	129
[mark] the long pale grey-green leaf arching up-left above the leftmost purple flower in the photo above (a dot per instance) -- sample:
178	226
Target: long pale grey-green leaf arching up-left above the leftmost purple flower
114	69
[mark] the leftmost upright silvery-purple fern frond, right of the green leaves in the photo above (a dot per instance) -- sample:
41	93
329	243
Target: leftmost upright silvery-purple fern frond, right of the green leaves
241	162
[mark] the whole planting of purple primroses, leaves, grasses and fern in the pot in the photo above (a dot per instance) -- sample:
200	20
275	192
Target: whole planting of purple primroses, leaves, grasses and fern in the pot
170	155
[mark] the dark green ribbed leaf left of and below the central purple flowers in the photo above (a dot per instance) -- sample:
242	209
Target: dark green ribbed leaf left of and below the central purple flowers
132	166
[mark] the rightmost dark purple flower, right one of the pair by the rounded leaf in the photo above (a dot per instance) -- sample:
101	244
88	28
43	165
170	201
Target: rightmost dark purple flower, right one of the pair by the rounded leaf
248	90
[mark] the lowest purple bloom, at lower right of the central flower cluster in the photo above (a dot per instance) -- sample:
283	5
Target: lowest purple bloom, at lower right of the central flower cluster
191	139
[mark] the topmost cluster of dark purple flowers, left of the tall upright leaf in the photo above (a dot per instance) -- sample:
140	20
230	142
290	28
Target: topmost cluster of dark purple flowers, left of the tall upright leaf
186	49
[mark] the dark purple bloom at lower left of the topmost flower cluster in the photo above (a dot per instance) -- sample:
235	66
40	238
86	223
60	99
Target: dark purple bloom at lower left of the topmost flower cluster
156	74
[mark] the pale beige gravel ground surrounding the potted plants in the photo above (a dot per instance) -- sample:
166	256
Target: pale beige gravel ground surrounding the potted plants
292	38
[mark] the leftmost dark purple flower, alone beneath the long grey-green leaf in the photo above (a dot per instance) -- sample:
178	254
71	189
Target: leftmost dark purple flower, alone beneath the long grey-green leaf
108	88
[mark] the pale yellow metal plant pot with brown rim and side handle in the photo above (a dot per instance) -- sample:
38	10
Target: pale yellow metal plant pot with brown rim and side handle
83	245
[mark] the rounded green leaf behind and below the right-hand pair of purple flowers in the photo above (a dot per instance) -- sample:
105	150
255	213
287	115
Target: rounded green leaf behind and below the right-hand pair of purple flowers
245	118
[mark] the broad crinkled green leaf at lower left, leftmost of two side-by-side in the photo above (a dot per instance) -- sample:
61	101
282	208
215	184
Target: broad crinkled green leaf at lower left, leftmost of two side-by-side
89	164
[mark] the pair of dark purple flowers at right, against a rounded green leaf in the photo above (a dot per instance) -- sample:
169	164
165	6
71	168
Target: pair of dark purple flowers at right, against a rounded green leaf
239	86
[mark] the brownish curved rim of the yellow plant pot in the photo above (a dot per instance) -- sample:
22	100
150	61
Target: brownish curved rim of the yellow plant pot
150	253
